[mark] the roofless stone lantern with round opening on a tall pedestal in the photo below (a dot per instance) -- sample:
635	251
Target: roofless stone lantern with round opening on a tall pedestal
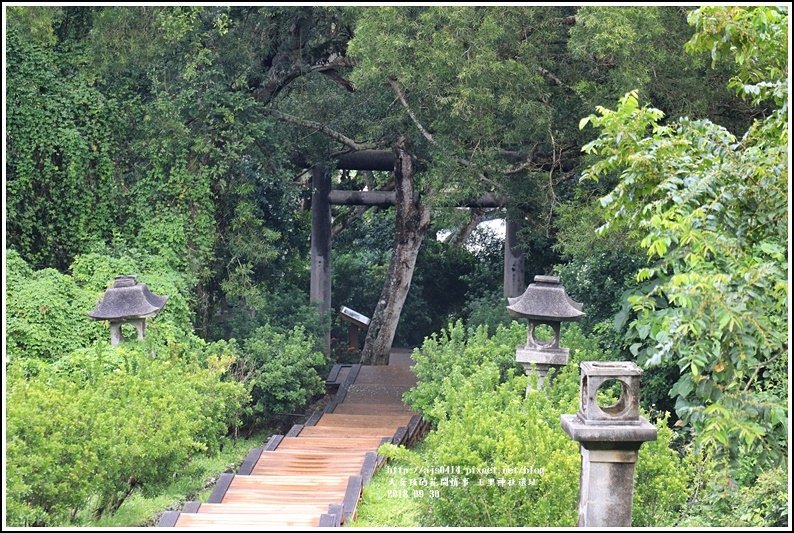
610	438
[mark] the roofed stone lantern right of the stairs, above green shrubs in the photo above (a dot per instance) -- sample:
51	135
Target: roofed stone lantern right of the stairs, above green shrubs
543	303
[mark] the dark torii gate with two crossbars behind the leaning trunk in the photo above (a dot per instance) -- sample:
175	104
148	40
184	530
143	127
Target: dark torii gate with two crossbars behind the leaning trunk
323	197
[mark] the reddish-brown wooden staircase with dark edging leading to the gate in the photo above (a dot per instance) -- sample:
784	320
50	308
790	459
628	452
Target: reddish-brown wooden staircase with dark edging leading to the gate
313	475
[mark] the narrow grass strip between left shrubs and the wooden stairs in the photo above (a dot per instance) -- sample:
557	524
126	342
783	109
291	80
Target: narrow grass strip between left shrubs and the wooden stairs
195	482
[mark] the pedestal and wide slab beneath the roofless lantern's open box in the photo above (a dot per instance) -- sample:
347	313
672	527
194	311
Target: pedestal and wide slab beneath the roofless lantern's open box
609	454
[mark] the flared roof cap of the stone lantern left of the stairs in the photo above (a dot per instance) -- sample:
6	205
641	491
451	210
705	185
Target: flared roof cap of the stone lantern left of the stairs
127	299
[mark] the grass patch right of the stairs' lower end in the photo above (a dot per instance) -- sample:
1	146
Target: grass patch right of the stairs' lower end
380	506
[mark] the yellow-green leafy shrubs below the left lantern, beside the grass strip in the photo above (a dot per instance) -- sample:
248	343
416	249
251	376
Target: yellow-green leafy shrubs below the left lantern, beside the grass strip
123	421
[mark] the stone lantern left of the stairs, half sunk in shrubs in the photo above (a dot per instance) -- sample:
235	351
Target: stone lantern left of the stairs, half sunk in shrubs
127	302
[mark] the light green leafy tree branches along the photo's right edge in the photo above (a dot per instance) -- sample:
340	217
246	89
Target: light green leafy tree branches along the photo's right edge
712	213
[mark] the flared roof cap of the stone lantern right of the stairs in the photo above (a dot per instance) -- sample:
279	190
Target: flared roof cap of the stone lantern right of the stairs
545	299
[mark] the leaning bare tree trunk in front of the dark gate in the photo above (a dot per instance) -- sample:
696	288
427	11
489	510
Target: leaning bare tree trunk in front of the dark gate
410	226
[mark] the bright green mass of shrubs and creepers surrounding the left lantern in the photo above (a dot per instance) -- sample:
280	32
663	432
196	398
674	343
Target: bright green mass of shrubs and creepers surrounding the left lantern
88	424
